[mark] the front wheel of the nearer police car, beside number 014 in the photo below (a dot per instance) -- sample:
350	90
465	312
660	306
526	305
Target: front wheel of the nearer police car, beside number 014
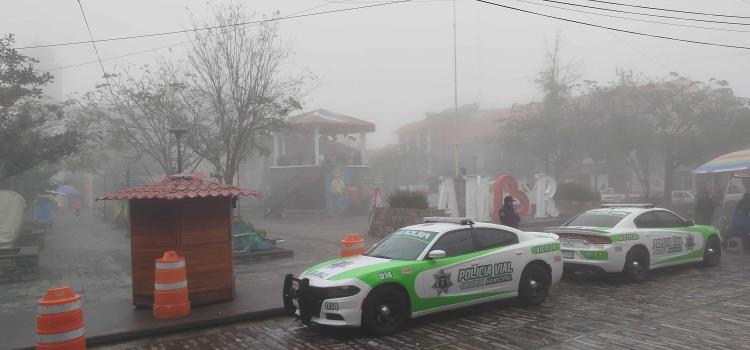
385	310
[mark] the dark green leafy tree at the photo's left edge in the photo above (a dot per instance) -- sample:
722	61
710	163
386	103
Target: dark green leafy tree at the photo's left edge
32	128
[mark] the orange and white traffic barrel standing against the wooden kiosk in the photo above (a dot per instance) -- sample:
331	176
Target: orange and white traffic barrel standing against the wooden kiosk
170	287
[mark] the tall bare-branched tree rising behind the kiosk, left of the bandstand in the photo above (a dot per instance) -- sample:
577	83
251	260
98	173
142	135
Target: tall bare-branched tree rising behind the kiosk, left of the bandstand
236	72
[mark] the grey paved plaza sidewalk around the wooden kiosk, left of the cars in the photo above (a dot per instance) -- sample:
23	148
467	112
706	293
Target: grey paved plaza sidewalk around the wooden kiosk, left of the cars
91	257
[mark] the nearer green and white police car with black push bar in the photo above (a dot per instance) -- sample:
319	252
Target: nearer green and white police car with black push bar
442	264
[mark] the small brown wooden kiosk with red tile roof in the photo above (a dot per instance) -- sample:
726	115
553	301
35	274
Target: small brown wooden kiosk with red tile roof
191	216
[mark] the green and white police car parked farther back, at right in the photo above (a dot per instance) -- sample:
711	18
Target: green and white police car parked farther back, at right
634	238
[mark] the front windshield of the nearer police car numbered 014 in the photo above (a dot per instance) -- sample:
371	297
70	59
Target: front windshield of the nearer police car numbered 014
402	245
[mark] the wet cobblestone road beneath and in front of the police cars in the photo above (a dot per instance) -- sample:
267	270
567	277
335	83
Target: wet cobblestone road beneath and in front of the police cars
677	308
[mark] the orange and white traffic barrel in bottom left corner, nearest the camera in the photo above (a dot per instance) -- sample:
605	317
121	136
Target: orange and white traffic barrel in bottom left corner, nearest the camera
59	321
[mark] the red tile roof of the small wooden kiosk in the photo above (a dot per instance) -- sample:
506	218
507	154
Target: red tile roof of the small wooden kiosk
179	187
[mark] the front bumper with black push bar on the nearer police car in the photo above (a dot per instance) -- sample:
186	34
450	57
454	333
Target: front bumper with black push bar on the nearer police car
311	305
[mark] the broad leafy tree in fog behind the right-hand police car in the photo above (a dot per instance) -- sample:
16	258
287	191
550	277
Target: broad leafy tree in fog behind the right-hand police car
678	121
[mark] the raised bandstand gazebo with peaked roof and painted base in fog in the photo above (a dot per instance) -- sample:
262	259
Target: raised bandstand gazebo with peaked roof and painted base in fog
320	164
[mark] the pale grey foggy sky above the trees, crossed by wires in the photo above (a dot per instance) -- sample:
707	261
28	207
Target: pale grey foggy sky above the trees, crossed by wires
391	64
